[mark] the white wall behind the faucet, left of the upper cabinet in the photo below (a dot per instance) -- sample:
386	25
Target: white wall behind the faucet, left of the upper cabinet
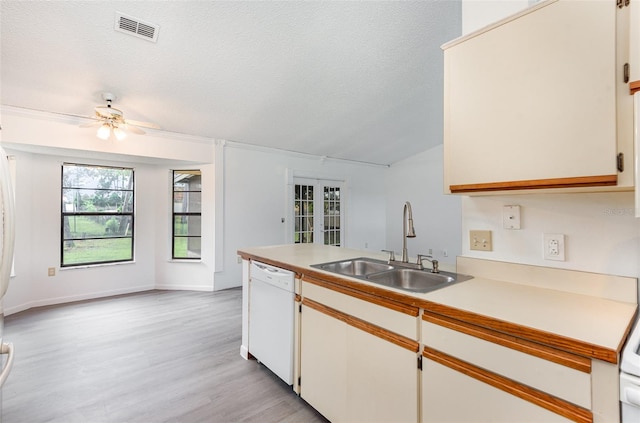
437	217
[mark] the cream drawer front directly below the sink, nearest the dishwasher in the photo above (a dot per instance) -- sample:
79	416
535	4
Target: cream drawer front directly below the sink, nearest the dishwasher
391	320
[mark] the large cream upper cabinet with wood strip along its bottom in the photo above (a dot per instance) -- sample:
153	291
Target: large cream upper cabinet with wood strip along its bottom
539	101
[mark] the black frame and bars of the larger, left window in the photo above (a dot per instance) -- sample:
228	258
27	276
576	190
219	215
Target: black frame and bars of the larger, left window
64	214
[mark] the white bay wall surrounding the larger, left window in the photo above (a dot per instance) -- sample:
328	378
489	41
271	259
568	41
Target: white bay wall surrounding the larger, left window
38	240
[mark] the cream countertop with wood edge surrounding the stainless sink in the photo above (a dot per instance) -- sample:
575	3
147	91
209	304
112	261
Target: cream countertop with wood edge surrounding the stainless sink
586	318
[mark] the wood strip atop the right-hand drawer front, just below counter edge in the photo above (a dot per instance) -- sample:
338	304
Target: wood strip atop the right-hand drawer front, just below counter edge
566	359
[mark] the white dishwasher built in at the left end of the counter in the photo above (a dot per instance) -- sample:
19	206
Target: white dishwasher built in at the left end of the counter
271	312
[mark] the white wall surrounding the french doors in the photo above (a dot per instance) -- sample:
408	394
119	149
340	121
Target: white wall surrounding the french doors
257	194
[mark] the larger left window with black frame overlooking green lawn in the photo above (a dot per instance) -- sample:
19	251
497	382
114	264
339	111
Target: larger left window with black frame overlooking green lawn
97	214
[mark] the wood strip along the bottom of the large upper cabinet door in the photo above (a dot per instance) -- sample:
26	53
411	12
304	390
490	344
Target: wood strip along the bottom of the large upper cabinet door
574	182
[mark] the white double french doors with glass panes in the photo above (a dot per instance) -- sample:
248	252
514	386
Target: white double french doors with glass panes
317	212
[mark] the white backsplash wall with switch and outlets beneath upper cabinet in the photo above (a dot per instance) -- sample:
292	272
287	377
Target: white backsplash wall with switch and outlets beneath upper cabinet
601	233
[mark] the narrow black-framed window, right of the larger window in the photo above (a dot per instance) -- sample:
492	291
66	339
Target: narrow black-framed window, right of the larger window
187	218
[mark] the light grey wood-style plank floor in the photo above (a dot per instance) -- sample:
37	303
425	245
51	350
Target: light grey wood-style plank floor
157	356
